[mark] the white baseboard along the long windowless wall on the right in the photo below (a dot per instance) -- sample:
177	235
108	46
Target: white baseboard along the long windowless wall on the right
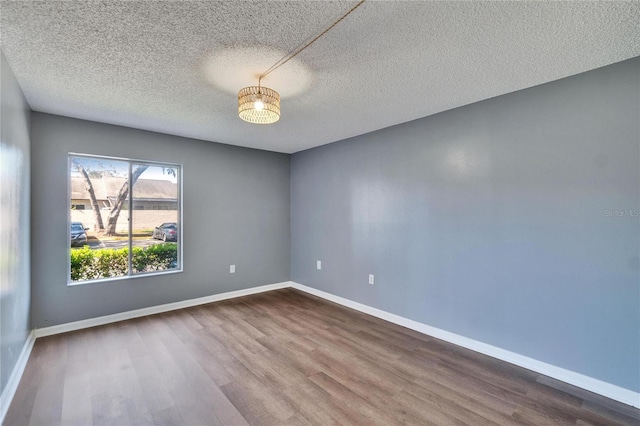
608	390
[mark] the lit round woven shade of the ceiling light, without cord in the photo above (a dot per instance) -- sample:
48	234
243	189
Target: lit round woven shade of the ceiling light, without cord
259	105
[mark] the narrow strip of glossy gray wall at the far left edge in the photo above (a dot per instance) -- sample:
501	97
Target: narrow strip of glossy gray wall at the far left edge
14	231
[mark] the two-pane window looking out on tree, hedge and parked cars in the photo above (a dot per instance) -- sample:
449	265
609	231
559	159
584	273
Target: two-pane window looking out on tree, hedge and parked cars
130	220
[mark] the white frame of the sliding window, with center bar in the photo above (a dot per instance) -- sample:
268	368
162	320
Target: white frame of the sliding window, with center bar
130	274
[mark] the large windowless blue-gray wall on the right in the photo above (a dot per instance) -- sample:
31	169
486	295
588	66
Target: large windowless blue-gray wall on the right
496	221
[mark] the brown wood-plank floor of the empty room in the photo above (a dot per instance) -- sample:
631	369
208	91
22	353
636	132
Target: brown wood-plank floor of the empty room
285	358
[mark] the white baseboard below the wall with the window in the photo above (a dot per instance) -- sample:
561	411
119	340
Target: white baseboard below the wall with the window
122	316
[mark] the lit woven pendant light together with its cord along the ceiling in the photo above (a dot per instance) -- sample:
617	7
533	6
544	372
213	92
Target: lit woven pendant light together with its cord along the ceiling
261	105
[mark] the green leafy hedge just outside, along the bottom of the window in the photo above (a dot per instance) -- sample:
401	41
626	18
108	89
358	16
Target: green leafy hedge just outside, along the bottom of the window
89	264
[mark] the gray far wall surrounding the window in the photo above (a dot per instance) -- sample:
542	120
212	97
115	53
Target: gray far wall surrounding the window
236	211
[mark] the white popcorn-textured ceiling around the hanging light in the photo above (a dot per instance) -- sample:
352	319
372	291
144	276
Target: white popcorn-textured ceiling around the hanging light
176	67
